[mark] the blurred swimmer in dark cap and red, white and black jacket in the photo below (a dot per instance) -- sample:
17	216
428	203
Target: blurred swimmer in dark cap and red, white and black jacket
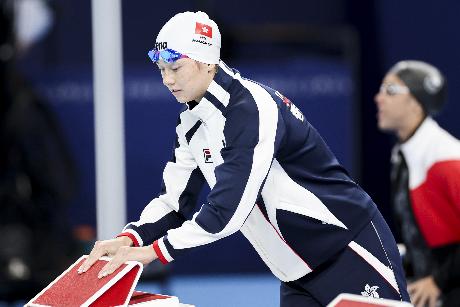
425	180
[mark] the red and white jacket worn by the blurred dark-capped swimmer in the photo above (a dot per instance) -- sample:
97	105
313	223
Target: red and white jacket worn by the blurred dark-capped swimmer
433	160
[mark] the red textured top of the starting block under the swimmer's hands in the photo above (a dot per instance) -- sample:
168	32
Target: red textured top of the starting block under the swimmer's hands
74	289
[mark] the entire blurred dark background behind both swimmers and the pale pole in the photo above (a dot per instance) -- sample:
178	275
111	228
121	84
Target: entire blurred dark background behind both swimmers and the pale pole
327	56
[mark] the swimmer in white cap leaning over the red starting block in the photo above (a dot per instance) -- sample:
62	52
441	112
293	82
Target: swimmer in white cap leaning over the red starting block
272	177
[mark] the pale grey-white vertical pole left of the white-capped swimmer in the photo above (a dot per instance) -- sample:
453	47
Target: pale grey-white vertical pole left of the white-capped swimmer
108	113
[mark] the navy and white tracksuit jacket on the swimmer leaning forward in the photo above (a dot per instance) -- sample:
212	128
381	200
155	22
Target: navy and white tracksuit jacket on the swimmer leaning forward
271	175
